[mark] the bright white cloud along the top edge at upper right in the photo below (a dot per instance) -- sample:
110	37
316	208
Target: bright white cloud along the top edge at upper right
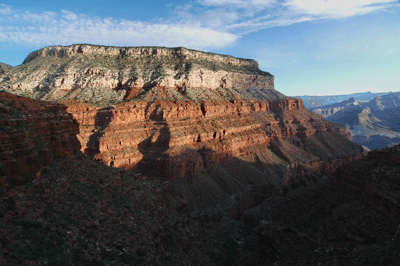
255	15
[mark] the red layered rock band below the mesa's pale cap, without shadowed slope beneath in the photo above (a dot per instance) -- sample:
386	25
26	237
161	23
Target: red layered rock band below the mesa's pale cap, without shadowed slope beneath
183	138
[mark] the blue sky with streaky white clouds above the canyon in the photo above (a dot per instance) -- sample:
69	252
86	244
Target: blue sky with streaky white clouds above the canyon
312	47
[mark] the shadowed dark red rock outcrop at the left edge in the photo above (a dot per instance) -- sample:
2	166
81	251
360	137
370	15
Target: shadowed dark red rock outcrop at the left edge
32	134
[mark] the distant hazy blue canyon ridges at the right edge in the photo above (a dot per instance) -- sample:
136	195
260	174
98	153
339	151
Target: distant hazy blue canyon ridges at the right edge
372	118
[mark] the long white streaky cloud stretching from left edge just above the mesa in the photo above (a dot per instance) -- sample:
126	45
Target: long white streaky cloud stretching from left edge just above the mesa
66	27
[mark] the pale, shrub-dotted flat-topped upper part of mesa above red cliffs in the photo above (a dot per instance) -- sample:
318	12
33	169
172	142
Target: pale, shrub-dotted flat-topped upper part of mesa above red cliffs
110	75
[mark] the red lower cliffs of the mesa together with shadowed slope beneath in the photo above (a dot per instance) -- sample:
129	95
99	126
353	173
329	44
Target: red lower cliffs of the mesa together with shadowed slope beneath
214	150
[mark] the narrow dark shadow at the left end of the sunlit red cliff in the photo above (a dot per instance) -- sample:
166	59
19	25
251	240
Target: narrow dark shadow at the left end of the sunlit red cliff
102	120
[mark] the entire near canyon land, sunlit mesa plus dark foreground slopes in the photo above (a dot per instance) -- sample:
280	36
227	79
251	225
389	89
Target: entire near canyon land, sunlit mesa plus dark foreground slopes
153	173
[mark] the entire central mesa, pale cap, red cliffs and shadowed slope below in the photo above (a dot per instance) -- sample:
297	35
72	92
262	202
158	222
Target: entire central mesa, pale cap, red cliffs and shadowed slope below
213	124
